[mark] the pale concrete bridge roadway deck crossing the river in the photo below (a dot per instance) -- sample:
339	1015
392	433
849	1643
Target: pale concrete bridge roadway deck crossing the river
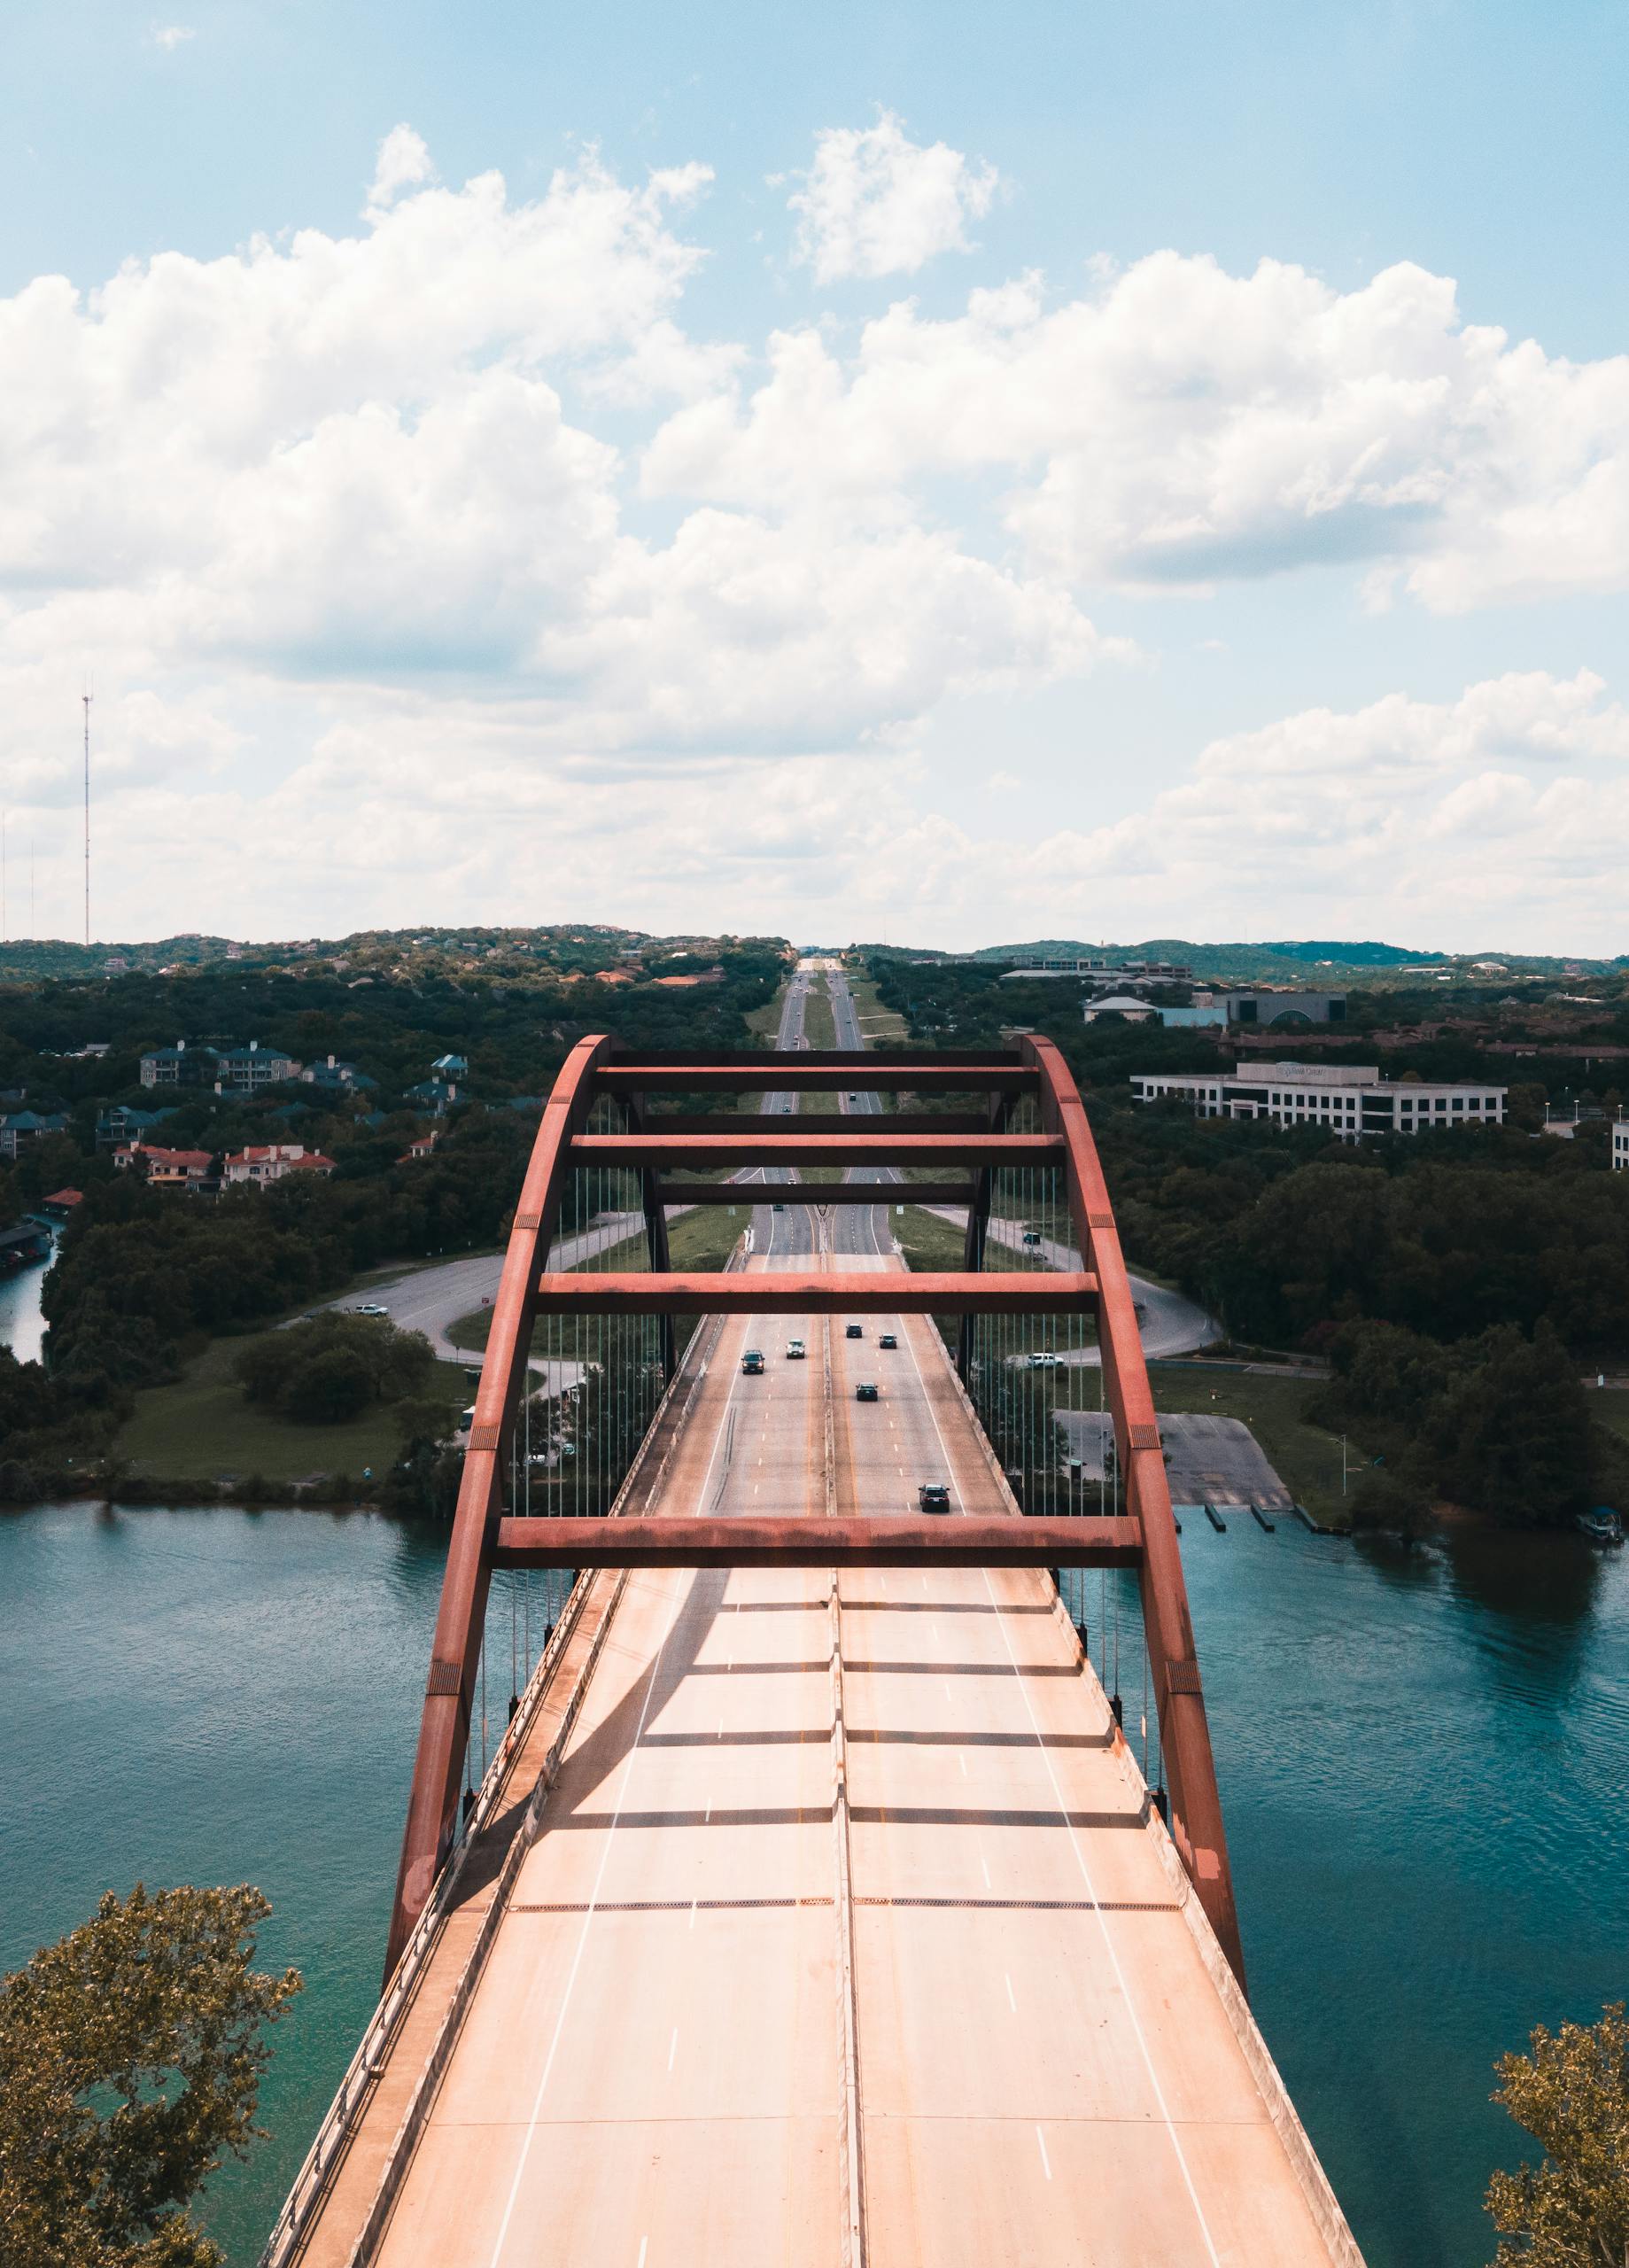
847	1936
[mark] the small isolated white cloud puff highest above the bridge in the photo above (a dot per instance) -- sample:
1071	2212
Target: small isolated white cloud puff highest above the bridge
877	203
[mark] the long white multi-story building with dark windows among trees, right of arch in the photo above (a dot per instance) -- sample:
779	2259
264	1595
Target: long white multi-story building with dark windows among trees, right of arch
1347	1099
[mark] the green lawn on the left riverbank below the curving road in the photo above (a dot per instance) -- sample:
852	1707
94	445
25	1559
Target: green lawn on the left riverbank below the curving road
203	1430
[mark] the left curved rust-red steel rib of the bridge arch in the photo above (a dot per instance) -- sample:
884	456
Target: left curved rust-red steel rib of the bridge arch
462	1616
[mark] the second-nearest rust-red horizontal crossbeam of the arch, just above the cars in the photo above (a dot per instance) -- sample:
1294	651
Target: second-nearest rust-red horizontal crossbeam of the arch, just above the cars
1022	1292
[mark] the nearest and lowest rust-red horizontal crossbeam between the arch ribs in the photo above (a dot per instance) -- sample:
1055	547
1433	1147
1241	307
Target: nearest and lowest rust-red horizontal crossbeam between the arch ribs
888	1541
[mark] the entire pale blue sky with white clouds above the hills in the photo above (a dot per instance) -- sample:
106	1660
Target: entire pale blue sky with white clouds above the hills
1167	593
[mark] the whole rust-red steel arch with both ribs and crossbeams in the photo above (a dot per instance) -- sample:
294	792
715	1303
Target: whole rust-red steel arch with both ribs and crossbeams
605	1119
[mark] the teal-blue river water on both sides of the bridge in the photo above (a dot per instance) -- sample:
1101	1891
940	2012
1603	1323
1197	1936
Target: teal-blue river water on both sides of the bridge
1421	1763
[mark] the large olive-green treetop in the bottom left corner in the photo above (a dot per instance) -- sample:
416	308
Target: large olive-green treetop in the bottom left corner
130	2063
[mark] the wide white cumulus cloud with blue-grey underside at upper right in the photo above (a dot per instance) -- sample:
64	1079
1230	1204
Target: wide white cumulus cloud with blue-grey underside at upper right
1179	428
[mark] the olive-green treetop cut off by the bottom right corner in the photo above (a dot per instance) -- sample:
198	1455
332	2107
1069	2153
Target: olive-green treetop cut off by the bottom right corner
1573	2097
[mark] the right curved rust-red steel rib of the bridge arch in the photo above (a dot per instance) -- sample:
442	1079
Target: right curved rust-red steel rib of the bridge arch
1197	1822
